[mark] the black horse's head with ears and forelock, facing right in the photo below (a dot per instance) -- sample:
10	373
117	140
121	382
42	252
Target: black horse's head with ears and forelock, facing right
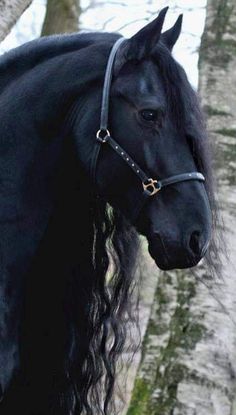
156	123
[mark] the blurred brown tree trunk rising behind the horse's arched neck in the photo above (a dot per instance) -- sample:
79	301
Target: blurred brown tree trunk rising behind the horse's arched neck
62	16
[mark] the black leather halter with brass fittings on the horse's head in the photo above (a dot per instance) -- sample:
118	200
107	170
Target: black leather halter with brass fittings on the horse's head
103	137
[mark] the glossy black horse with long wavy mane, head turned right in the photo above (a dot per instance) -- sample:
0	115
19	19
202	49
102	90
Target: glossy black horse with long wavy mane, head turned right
62	233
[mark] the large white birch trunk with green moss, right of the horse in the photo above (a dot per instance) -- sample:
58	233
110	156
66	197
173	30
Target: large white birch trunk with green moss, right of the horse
189	350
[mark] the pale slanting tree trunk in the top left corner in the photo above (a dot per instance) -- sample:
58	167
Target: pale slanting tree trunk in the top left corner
10	11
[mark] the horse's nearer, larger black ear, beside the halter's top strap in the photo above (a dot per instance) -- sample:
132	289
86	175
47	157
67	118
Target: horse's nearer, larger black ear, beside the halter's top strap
142	43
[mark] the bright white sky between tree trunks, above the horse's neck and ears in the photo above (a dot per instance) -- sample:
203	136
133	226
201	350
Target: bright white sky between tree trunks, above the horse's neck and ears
125	17
